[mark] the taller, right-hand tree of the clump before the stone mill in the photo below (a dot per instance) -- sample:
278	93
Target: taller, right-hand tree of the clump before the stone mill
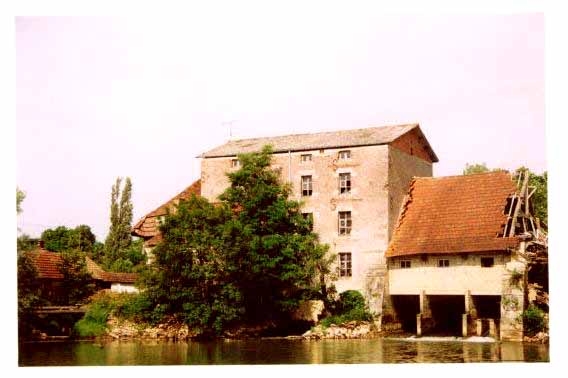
277	255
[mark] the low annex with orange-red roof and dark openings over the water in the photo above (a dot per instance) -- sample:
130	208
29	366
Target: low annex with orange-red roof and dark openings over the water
457	259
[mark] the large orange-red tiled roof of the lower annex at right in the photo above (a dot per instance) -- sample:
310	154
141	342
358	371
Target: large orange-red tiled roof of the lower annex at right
453	215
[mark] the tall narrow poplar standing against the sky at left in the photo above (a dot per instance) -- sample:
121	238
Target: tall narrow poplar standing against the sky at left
118	241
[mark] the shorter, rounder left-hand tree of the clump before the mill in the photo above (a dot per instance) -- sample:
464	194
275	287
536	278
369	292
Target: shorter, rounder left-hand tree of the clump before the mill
192	278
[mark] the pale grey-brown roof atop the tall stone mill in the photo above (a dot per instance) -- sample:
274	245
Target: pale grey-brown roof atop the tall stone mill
303	142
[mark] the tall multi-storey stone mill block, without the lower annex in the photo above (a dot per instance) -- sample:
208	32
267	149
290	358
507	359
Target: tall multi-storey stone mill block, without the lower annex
352	184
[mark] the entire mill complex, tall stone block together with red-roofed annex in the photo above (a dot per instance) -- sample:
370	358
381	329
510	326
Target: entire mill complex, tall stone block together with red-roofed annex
423	251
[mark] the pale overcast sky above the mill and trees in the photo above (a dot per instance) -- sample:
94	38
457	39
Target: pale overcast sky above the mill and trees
99	98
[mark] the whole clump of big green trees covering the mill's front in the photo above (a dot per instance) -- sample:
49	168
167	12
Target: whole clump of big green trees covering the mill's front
250	257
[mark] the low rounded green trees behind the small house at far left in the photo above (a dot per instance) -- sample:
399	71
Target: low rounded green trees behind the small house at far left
62	239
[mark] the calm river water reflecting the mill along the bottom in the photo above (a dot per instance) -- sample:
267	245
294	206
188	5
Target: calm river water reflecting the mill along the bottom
275	351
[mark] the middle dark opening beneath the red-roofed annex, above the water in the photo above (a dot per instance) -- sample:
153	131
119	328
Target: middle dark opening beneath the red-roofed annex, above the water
447	311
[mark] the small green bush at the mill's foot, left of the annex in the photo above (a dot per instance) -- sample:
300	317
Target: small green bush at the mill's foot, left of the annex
350	306
